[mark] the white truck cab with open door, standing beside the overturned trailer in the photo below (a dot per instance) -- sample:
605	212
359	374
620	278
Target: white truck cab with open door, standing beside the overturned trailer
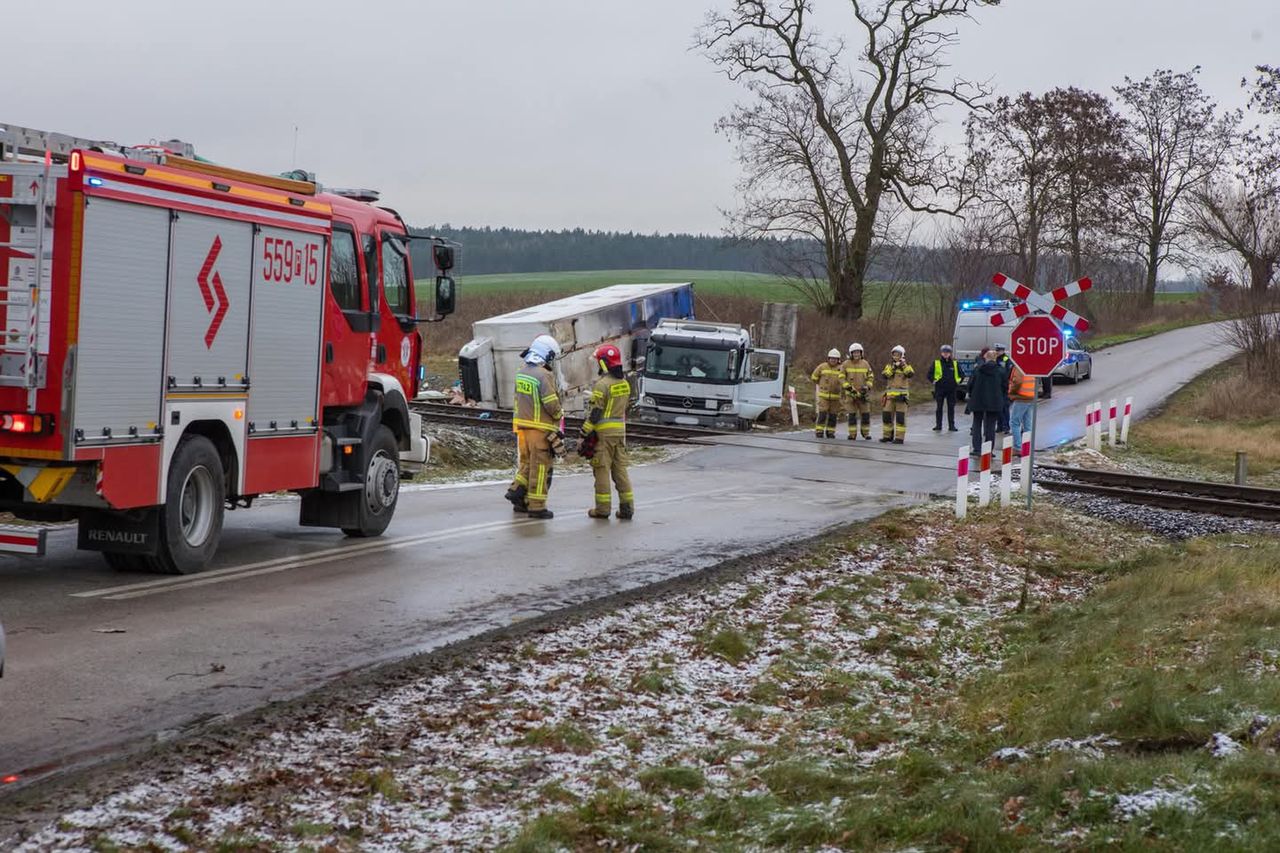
708	375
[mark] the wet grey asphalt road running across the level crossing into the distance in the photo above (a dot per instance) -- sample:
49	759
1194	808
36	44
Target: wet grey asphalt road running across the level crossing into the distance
100	659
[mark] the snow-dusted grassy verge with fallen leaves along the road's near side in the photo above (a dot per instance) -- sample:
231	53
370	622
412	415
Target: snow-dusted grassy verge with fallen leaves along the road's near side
913	683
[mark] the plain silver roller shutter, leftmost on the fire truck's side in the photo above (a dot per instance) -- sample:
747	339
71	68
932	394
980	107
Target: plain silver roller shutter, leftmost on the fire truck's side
120	366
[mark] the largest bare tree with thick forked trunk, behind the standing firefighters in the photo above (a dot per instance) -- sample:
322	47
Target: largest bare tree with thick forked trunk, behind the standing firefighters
877	136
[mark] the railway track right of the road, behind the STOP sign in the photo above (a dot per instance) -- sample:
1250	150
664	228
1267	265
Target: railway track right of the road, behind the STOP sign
1191	496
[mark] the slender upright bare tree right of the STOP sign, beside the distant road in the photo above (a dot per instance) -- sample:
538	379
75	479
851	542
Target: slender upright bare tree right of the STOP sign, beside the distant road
1176	143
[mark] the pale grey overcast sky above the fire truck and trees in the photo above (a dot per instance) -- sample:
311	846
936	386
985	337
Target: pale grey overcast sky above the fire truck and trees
538	115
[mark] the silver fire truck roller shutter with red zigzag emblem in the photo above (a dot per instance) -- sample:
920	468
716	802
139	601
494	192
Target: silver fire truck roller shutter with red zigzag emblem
209	300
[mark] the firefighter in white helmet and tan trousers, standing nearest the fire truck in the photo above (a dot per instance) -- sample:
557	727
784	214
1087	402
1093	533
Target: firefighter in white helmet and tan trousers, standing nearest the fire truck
537	426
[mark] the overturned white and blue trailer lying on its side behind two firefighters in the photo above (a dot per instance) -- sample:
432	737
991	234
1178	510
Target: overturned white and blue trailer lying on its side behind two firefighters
623	316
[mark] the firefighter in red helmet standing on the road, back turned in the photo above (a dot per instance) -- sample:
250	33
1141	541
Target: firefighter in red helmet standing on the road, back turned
605	436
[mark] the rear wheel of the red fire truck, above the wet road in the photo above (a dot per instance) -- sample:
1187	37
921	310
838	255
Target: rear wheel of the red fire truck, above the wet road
191	519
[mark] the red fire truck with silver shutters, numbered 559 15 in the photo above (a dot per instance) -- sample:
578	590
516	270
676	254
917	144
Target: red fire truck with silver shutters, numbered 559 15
182	337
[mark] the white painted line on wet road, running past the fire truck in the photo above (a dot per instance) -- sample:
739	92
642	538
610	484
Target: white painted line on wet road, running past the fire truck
319	558
